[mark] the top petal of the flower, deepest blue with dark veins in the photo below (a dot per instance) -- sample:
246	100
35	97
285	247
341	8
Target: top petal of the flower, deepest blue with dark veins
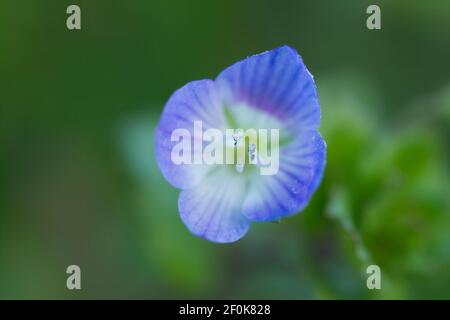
276	82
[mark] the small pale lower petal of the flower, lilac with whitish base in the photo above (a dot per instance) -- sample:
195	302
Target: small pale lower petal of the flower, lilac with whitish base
212	210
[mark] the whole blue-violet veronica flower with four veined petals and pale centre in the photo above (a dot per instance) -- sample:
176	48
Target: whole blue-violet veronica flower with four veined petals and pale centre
271	90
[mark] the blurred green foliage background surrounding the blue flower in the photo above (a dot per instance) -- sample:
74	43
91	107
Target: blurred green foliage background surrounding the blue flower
79	183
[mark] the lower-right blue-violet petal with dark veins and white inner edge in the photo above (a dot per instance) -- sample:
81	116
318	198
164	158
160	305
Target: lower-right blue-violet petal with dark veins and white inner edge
287	192
